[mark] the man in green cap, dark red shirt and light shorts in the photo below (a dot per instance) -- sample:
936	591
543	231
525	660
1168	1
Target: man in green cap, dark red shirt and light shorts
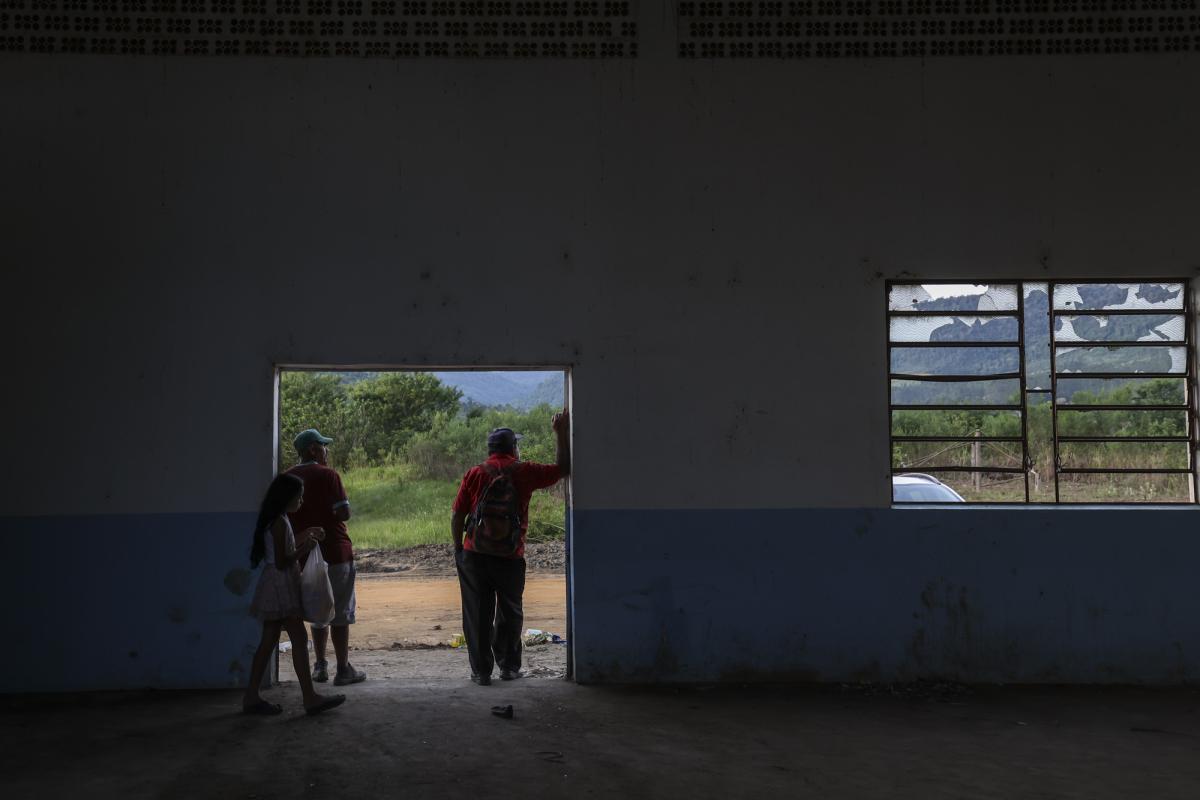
327	507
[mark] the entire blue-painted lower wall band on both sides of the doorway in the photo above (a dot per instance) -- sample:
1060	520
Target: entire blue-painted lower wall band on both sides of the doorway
969	594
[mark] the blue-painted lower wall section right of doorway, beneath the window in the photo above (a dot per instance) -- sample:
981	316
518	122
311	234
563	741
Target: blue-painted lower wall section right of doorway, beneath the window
1009	596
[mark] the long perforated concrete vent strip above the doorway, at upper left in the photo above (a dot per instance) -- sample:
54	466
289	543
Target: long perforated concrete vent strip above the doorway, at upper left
374	29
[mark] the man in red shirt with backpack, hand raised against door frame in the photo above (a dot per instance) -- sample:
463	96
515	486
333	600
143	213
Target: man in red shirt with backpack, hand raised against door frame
491	518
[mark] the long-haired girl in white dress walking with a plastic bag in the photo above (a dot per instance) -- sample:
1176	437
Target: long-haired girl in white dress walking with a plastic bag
277	601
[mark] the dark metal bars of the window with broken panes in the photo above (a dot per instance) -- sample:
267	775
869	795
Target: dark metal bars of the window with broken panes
1189	377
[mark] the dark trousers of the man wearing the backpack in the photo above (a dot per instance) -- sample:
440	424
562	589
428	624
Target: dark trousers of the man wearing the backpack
493	615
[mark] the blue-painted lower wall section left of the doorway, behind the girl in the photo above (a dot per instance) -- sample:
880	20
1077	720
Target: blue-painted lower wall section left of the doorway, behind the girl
129	601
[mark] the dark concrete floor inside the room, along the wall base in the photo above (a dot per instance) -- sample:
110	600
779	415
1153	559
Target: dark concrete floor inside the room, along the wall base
437	739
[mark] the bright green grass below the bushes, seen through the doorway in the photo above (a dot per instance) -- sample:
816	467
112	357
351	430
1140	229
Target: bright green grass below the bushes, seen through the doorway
394	510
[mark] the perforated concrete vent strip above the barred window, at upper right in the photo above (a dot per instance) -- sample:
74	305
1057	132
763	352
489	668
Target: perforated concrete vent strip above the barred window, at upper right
860	29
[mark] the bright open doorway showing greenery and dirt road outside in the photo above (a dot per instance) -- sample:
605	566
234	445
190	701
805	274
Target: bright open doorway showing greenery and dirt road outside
403	441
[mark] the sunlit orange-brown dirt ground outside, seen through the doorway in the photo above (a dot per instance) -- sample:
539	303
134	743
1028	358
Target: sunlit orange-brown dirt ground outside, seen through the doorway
406	621
